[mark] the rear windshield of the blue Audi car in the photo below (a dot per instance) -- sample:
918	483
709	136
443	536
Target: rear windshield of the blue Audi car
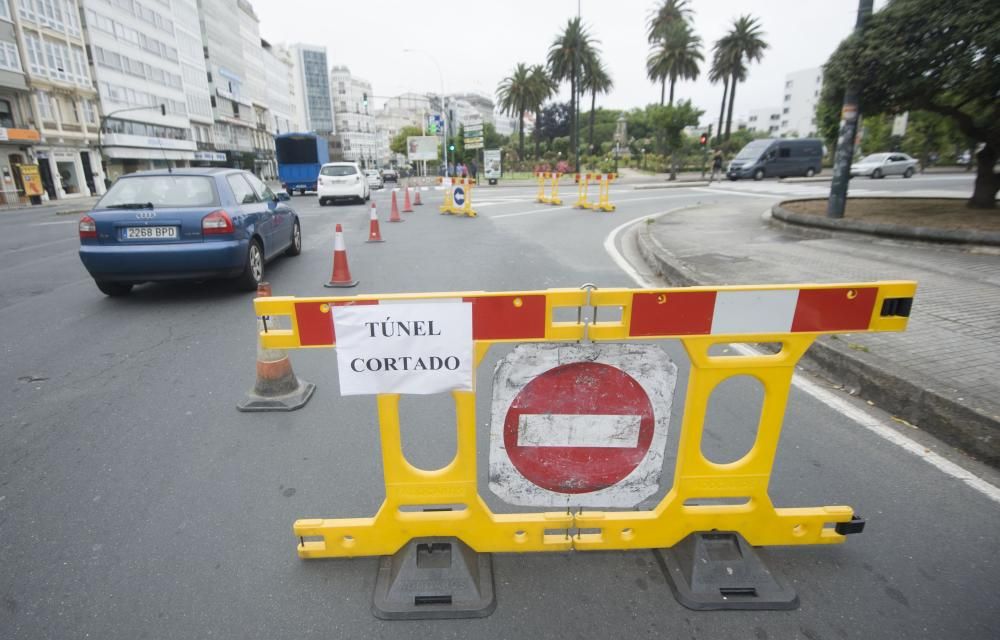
161	191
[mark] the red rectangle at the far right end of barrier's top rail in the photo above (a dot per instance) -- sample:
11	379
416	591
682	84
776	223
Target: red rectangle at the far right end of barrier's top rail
834	309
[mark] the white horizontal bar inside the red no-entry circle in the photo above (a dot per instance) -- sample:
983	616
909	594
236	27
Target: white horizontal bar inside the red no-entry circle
578	430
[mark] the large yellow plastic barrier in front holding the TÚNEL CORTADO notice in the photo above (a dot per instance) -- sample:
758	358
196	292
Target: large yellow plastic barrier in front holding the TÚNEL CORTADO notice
696	318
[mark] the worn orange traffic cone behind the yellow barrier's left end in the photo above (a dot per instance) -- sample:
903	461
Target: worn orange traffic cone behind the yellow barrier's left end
277	388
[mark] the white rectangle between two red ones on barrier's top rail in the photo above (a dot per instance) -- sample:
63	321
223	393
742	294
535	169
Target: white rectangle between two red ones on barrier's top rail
754	311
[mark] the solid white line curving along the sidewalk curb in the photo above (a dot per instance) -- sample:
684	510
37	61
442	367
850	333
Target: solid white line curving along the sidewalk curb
830	399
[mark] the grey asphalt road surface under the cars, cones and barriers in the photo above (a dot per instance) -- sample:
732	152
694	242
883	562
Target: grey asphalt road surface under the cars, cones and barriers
136	502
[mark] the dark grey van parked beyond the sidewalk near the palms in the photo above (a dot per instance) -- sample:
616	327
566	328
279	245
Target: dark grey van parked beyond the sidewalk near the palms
770	157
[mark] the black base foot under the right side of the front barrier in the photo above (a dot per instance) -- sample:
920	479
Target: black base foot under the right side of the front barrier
721	571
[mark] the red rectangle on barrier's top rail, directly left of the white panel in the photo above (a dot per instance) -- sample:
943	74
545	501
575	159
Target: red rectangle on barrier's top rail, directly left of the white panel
672	314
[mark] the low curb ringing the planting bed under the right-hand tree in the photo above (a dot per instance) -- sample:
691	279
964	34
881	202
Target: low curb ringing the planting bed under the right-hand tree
884	229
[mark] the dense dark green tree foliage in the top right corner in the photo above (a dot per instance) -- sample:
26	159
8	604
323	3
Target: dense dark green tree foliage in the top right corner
938	57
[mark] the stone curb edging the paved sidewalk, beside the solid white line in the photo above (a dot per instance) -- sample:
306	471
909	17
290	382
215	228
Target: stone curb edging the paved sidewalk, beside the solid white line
912	397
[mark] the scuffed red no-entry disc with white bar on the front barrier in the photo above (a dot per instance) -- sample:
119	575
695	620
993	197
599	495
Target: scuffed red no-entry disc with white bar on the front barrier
562	453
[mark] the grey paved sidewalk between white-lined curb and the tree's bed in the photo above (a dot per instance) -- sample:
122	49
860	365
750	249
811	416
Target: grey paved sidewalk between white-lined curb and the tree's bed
941	374
